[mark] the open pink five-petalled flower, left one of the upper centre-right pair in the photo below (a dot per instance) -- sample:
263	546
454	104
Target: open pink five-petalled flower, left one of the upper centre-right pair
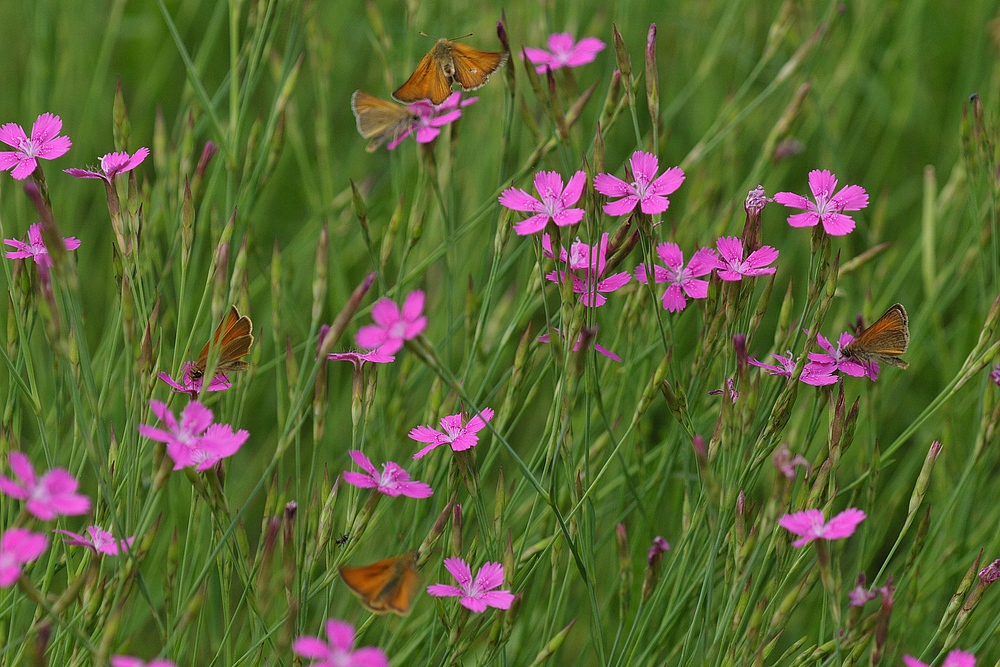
555	204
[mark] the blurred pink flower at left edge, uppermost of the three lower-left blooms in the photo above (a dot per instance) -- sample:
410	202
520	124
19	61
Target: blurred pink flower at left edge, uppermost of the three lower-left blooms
52	495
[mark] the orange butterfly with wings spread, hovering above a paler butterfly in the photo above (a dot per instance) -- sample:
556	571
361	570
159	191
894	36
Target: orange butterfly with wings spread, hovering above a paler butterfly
449	62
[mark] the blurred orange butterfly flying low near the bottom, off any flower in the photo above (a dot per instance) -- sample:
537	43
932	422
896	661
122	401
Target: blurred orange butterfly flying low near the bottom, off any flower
388	585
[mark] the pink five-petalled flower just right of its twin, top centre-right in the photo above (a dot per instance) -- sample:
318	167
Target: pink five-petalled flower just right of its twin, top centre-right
649	194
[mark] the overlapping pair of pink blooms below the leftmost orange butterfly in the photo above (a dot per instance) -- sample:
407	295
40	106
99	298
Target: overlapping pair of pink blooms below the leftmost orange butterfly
195	441
